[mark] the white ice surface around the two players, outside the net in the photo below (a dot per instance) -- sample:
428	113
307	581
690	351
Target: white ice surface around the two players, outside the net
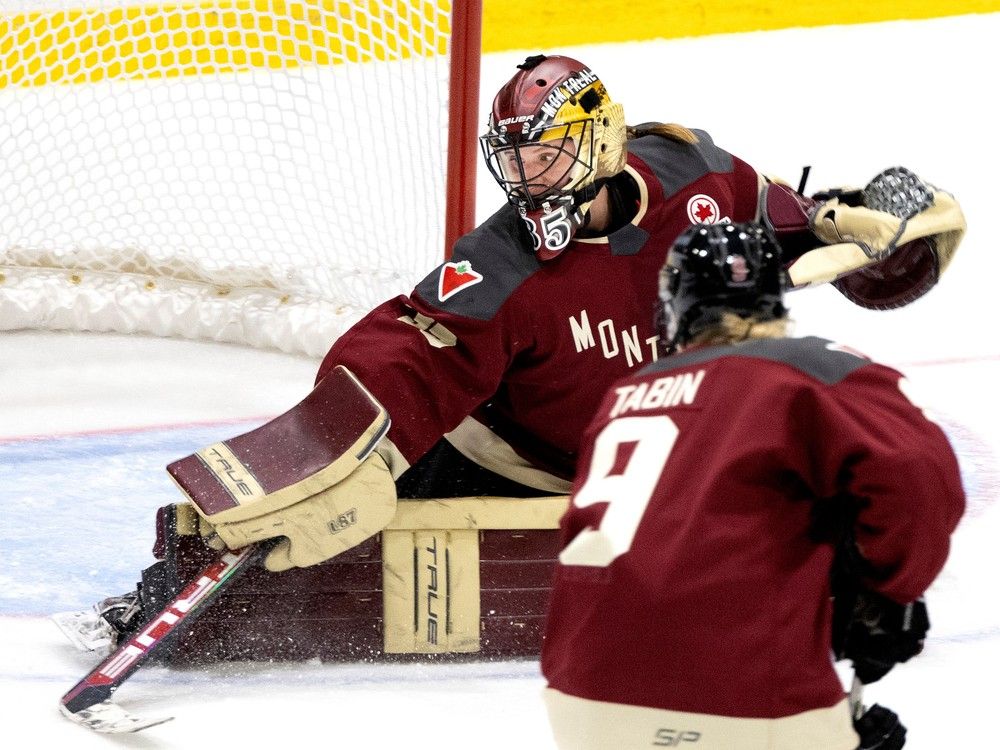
77	507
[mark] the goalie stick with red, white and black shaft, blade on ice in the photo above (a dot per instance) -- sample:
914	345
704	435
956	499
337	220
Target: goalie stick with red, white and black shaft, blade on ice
88	703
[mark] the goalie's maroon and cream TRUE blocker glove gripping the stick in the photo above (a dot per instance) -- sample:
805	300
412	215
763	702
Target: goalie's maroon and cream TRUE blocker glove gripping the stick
309	475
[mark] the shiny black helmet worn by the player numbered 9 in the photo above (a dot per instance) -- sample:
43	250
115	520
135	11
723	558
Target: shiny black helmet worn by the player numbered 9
712	269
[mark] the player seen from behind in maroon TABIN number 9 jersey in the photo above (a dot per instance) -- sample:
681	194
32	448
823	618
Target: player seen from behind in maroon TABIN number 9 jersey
692	599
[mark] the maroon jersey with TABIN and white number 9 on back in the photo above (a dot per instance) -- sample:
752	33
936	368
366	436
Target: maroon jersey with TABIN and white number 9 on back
690	578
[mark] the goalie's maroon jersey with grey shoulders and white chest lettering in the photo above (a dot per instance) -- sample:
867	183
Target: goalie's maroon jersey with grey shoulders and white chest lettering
529	347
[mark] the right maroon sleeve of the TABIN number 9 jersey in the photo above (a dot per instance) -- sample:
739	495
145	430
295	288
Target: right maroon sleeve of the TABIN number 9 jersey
900	470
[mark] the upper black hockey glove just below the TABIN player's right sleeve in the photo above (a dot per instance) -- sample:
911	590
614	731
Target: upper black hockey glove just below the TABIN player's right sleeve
880	634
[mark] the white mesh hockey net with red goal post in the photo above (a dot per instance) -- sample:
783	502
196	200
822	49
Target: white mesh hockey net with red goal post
253	171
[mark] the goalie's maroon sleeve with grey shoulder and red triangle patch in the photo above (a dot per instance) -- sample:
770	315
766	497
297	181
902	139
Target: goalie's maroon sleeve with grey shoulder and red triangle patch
432	357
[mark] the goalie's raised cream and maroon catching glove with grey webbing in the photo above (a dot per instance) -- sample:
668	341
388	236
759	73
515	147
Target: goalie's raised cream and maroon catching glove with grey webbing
886	244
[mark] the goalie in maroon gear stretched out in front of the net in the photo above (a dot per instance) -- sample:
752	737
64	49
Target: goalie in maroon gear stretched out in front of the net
436	532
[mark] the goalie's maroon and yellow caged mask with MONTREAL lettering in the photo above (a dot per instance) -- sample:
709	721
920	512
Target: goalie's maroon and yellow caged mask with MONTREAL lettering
554	138
